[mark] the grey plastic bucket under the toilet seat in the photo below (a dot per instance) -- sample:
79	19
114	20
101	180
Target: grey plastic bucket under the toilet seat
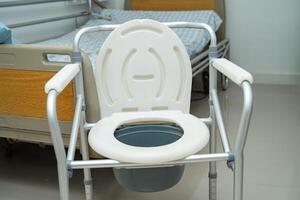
149	179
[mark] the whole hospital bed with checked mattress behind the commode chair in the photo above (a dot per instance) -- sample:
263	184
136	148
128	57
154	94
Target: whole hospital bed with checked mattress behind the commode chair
25	68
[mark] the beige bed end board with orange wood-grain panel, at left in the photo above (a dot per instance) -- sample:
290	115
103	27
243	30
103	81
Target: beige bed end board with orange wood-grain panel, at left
24	69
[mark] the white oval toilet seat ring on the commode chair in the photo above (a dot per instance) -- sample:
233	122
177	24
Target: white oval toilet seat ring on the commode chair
195	137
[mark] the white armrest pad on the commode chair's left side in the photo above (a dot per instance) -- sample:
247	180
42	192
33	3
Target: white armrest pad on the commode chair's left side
62	78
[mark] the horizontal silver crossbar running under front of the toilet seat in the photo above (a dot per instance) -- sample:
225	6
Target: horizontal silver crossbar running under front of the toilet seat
108	163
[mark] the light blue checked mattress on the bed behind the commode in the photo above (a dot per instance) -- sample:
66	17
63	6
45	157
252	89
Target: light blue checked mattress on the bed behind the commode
194	40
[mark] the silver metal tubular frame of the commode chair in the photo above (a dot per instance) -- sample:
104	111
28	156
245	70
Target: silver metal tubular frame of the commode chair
66	163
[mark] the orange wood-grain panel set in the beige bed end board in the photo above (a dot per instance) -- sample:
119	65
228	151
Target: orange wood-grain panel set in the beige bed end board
22	94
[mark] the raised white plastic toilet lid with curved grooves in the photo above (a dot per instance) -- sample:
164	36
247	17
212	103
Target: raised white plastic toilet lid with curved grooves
143	66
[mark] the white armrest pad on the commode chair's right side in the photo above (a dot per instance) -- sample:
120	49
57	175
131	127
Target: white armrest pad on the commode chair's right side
232	71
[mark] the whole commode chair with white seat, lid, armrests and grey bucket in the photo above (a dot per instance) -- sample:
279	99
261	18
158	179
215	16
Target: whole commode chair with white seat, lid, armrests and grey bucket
146	134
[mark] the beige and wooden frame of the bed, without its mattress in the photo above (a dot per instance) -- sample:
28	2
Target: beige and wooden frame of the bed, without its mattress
24	70
